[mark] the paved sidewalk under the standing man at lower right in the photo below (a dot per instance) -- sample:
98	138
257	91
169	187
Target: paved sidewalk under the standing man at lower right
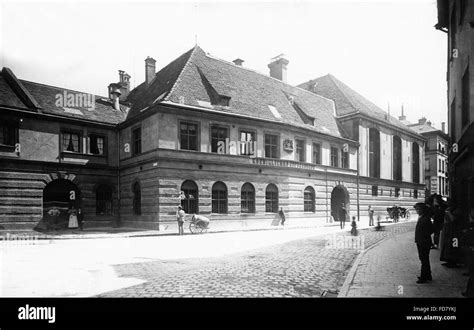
390	269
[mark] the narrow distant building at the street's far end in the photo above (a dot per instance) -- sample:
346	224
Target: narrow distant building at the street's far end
436	156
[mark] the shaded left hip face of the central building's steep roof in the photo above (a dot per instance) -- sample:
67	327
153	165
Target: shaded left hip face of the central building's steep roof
144	96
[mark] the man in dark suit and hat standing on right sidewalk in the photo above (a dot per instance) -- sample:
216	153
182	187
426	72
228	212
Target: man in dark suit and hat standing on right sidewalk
423	231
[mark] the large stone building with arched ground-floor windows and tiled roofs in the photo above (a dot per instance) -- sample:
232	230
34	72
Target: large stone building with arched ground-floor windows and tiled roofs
216	137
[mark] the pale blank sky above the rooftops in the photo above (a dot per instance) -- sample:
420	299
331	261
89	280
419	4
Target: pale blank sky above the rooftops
388	51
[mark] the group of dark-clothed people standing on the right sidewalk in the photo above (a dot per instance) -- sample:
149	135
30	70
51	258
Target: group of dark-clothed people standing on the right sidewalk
442	225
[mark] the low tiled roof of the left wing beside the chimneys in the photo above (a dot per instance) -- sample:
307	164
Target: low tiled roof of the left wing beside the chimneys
45	97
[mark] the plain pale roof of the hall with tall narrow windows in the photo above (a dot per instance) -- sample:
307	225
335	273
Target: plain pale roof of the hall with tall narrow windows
349	101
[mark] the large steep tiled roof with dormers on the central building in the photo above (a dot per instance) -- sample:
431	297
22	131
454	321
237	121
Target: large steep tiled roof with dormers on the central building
204	80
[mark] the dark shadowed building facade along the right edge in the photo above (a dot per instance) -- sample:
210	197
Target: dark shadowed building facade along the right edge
456	18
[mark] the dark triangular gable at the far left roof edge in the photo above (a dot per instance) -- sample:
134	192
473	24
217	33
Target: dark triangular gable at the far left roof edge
16	95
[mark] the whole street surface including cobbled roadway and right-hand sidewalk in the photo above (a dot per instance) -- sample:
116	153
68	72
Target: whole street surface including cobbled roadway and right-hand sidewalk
309	262
